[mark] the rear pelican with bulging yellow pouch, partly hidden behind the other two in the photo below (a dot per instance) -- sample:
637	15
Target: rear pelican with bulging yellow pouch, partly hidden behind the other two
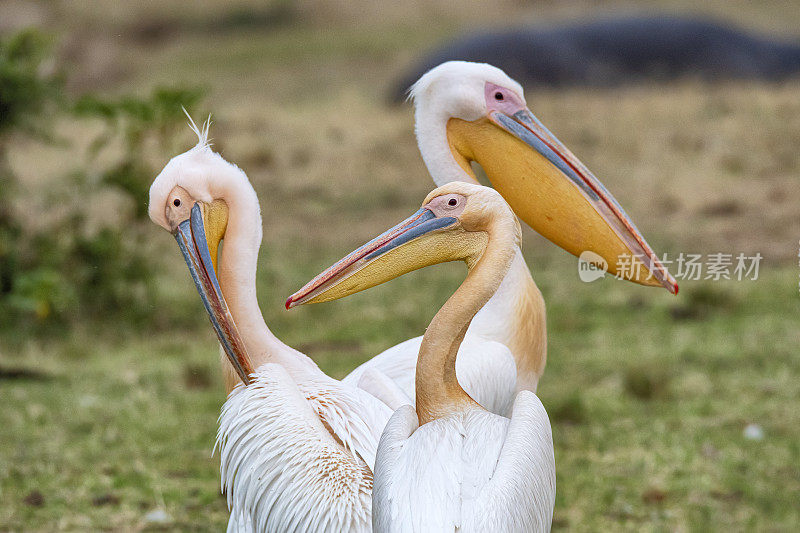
473	112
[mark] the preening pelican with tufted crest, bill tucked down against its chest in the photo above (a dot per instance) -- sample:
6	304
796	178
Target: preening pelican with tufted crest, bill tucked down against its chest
297	448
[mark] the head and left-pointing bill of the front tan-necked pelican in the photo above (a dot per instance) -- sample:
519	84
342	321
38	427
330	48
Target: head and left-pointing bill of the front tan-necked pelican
454	223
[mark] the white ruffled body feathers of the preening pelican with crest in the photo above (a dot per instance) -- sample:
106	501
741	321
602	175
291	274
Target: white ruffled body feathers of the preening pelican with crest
284	470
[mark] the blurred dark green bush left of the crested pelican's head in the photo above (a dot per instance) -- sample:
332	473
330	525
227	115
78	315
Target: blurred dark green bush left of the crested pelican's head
66	267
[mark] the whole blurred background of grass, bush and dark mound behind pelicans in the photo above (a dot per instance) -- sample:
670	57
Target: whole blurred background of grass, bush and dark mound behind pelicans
669	413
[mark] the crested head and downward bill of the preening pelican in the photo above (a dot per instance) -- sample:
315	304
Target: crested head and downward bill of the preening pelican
186	199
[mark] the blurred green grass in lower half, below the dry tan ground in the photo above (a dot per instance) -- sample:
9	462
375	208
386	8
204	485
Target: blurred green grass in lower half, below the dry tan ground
118	428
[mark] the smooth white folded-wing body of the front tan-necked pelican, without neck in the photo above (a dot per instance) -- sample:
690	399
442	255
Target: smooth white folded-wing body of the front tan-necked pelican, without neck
471	471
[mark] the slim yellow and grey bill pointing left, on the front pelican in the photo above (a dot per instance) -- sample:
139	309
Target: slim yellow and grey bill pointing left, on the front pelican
422	239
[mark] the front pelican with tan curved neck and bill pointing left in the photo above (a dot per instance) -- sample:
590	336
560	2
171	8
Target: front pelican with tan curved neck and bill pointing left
450	464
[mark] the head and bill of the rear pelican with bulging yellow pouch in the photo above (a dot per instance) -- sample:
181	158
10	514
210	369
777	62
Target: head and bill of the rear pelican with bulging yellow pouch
473	112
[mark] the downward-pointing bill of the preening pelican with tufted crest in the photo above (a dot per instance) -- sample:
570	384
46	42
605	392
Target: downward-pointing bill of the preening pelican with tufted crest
198	238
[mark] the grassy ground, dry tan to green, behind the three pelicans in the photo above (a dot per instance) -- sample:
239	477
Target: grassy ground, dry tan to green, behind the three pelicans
649	395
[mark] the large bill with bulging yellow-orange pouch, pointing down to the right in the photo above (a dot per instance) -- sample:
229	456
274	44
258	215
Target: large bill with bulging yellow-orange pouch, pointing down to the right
554	193
